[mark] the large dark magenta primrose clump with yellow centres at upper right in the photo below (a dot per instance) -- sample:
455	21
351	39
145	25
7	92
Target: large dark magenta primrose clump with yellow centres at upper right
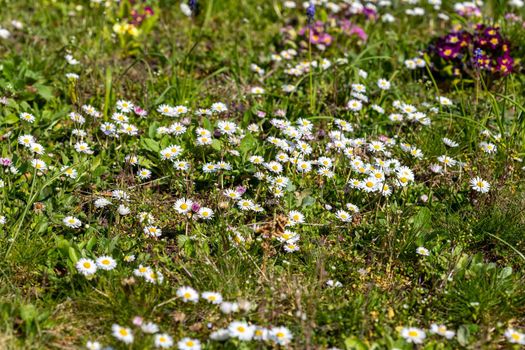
483	49
